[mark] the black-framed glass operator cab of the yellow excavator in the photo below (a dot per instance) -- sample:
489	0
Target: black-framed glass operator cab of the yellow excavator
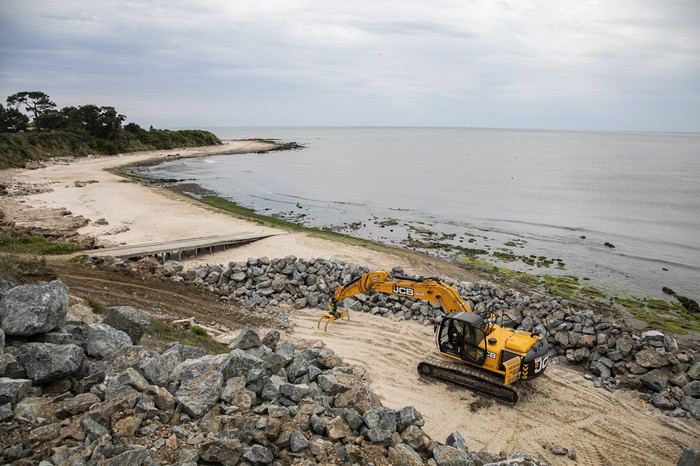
459	337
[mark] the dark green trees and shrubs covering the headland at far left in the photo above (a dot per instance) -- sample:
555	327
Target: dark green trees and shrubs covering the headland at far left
78	131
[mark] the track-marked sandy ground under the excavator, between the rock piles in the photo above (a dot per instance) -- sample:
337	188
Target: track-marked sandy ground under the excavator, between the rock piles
560	408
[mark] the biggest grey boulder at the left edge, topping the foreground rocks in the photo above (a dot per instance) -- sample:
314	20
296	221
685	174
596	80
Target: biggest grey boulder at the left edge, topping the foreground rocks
35	308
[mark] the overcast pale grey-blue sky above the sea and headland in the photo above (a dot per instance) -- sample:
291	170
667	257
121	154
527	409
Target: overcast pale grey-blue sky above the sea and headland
550	64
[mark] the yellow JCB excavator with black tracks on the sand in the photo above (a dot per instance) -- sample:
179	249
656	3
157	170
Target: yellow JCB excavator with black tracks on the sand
477	354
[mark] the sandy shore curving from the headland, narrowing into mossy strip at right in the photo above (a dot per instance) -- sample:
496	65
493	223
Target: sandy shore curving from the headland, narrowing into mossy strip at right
104	193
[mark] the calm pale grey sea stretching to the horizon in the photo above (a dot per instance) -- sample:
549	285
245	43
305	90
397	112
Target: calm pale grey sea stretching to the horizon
546	202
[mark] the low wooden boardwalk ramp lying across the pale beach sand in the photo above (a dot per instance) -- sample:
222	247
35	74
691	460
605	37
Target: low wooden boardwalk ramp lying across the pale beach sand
166	250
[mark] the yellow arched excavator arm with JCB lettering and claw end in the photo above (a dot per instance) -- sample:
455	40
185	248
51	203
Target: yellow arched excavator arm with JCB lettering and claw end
426	289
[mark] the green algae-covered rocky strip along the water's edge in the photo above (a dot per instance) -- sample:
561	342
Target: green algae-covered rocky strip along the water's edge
639	310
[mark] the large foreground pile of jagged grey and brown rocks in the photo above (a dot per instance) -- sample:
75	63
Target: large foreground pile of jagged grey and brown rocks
76	393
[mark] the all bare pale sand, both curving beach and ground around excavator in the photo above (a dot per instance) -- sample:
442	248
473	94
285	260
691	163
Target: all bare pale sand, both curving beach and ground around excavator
560	408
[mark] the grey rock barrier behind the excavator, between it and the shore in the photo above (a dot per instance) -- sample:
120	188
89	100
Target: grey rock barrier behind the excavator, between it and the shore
614	354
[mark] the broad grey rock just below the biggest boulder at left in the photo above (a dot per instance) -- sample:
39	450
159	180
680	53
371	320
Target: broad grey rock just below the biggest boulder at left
44	362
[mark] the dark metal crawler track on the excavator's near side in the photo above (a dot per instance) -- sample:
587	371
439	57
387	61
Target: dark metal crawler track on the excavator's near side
470	377
